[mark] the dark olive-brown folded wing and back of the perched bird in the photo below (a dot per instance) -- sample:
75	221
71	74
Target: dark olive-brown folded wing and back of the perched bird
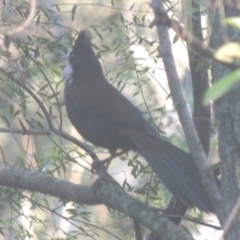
102	101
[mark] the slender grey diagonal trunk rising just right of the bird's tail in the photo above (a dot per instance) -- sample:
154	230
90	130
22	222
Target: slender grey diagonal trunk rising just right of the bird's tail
182	110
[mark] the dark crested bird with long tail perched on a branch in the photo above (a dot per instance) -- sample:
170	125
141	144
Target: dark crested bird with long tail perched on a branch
106	118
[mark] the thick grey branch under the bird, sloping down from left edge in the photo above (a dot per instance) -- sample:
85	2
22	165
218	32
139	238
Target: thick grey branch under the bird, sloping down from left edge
112	196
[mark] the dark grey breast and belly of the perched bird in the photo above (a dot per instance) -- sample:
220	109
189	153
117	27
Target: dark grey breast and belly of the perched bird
94	128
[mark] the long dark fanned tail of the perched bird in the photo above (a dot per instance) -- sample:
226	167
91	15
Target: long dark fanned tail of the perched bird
175	168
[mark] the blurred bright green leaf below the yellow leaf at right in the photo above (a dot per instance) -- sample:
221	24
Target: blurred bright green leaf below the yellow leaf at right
222	86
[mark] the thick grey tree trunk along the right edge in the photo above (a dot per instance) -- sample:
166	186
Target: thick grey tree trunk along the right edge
227	113
